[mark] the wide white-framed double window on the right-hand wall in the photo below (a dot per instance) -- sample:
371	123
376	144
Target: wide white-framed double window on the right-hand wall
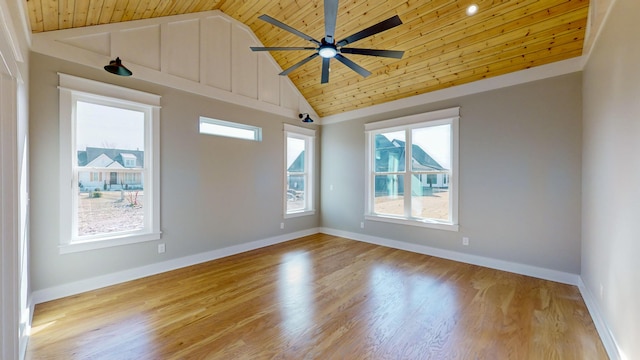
413	170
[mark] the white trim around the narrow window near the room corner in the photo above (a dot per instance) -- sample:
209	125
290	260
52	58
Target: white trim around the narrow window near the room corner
309	162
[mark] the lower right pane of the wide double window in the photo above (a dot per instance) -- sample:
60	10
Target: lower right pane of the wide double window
430	196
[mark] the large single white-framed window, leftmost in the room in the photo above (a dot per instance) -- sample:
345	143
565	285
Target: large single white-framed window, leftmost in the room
109	155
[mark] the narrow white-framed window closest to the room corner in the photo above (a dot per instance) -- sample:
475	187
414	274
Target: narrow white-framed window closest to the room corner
299	155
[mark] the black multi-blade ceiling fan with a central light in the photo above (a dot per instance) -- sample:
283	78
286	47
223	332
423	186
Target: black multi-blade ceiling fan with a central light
328	48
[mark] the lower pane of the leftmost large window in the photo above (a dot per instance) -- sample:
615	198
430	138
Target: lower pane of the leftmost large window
102	209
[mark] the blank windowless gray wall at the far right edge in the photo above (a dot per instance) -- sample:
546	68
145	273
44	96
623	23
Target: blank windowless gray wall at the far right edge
611	175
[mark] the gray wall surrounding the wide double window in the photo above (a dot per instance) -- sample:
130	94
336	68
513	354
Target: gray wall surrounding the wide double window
520	168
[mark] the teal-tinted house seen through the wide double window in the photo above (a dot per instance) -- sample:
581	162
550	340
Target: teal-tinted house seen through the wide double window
390	157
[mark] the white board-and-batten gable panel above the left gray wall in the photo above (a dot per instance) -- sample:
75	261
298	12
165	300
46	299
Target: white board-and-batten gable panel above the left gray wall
205	53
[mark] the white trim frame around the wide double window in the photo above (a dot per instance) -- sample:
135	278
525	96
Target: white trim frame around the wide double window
433	118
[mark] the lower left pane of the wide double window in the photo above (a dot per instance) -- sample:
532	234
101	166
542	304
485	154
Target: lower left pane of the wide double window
389	195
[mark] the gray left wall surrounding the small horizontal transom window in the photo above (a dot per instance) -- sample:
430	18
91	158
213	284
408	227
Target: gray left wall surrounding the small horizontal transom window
215	192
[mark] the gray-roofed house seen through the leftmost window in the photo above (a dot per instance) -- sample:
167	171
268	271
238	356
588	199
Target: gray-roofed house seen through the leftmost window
110	169
